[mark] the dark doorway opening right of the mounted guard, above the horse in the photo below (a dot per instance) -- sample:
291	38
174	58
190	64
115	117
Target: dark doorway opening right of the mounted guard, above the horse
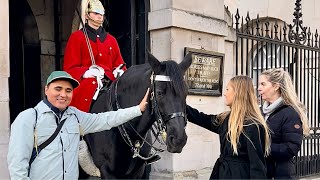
127	22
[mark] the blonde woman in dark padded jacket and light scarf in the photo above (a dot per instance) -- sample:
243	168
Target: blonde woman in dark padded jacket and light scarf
287	119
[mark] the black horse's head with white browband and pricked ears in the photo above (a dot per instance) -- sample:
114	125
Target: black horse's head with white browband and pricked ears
168	98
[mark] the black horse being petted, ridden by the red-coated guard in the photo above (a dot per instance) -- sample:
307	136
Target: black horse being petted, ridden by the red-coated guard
112	151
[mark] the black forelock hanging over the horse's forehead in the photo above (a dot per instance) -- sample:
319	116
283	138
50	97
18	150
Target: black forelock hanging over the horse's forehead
175	73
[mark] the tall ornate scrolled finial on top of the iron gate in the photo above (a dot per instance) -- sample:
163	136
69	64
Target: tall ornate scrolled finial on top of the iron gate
294	35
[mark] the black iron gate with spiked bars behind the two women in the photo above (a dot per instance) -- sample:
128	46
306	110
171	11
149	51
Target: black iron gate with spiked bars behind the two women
265	43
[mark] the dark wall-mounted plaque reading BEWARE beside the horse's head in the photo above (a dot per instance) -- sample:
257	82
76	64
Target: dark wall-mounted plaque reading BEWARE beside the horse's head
204	76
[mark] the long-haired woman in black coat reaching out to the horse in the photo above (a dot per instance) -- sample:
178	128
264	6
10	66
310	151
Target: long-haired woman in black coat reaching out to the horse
244	135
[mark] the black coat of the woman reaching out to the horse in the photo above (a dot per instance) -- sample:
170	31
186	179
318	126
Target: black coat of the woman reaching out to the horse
250	161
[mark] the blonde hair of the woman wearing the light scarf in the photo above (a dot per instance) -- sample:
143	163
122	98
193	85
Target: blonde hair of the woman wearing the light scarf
288	93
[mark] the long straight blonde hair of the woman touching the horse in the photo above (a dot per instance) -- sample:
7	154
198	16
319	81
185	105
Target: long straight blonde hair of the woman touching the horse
245	106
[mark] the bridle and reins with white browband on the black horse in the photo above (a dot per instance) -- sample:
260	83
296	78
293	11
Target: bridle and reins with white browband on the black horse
160	123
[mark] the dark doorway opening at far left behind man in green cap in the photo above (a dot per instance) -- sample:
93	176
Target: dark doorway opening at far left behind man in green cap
25	74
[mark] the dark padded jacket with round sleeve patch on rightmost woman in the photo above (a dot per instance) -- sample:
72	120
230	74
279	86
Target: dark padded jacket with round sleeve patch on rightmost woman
286	137
